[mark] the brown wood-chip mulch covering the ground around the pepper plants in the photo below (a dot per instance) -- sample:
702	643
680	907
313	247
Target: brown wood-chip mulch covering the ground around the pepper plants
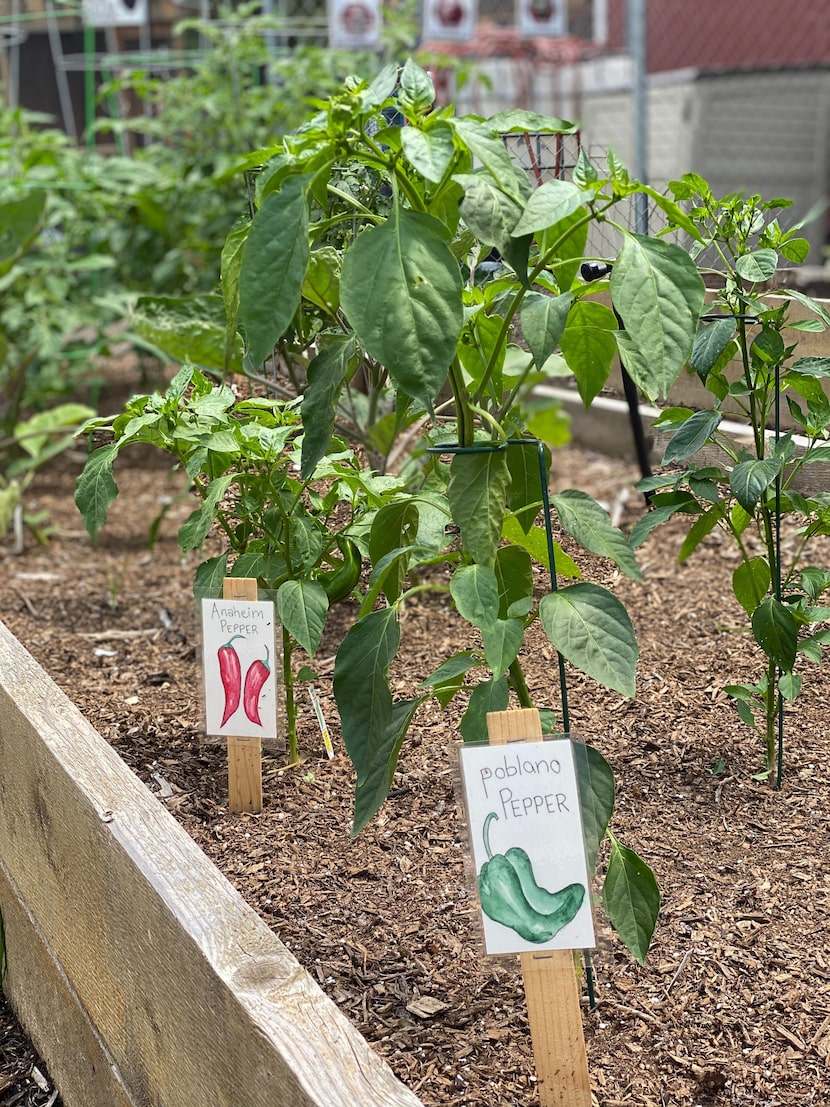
734	1003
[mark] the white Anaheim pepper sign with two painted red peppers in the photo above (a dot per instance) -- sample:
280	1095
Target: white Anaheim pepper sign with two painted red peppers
238	656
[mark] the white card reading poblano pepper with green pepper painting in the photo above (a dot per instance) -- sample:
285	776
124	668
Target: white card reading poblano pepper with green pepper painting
528	846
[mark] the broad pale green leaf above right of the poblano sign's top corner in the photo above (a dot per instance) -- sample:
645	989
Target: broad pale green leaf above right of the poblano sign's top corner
592	629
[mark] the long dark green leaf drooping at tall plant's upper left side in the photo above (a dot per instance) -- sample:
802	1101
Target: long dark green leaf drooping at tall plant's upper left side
274	268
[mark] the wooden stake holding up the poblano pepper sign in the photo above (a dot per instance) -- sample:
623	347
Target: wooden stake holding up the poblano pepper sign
551	978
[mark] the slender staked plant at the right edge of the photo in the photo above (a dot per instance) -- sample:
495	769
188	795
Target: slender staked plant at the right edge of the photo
746	357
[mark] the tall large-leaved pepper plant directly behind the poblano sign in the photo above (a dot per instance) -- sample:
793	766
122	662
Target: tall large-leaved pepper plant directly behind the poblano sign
362	268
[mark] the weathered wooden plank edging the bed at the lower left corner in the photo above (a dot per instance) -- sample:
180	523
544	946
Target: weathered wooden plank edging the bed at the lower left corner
139	971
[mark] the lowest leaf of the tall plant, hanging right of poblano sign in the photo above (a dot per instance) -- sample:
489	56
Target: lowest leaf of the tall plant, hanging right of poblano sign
632	899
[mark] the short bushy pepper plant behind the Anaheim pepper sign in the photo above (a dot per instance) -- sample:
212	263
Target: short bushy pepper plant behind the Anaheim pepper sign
243	459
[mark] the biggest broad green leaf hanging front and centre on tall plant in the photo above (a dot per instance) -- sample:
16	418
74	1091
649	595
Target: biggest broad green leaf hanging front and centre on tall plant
402	293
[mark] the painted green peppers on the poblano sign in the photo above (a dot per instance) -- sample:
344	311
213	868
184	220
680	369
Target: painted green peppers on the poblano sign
511	895
